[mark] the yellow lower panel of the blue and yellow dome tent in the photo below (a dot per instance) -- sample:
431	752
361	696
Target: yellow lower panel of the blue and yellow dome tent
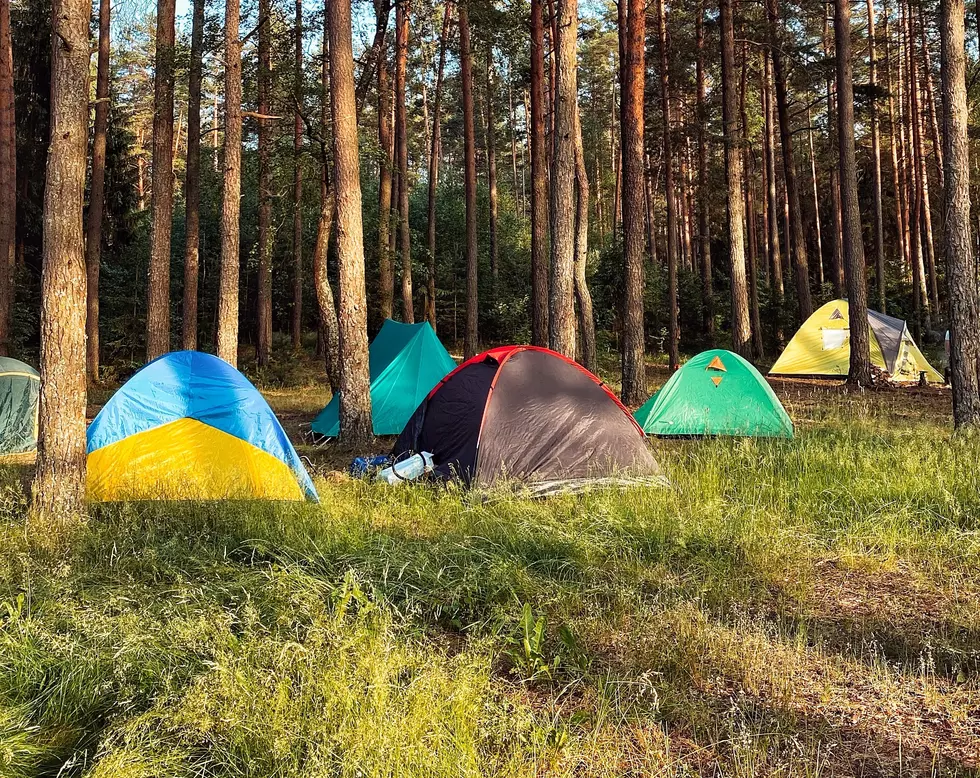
187	460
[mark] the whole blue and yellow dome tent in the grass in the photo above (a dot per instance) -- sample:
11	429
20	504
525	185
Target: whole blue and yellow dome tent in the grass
189	426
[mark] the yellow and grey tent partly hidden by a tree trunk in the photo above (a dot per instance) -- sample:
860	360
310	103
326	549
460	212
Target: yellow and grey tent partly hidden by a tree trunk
822	347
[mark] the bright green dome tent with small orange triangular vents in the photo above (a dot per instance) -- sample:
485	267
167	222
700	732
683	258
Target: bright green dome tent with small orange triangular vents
716	393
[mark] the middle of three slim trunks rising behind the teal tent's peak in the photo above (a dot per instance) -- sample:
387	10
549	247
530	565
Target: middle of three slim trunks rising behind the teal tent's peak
401	148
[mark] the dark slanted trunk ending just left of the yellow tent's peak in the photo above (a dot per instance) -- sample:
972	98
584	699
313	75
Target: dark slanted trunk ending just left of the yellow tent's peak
795	237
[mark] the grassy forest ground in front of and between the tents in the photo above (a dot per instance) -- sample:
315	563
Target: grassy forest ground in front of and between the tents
791	608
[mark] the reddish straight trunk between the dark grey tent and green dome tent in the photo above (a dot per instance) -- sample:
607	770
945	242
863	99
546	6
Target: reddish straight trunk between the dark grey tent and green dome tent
632	80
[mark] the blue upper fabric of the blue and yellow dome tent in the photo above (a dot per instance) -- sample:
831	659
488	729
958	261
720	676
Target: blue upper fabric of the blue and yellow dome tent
195	385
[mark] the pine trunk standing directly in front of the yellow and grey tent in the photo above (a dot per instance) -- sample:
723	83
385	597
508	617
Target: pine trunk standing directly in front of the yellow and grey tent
857	287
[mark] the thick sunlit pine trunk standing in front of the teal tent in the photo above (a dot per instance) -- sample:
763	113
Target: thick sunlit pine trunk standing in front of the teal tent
356	427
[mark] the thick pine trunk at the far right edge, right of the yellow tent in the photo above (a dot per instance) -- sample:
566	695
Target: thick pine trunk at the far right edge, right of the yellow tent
961	264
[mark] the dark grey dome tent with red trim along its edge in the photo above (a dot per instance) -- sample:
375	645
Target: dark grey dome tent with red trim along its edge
529	415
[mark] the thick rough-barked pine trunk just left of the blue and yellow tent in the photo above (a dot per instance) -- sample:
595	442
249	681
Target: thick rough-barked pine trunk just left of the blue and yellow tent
59	484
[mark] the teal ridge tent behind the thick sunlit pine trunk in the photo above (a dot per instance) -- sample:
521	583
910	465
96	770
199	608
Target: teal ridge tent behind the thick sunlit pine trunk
406	362
